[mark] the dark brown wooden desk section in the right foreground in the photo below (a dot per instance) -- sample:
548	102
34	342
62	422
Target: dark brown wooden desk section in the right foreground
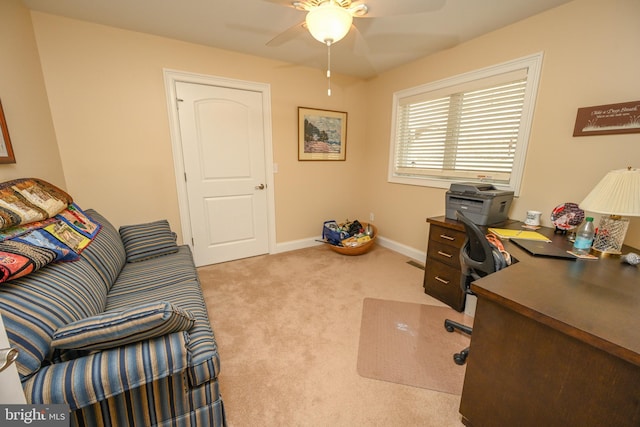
555	343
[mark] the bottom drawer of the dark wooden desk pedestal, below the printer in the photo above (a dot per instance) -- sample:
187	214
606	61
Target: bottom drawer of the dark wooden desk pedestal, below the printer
443	283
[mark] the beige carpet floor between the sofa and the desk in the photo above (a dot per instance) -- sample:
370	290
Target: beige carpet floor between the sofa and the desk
288	330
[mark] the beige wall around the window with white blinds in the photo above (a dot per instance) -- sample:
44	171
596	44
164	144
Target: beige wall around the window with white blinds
590	58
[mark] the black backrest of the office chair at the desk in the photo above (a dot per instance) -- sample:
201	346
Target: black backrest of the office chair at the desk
478	256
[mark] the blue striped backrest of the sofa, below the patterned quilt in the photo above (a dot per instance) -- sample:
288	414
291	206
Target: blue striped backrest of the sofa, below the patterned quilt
35	306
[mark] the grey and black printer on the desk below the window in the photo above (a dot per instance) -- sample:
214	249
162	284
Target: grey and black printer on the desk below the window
482	203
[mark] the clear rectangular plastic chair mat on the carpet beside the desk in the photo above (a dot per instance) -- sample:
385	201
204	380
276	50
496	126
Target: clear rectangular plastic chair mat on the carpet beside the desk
407	343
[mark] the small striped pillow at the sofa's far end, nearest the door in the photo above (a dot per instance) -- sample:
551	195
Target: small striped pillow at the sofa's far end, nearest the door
144	241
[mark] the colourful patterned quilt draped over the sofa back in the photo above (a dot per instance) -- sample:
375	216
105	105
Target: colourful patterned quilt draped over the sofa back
39	224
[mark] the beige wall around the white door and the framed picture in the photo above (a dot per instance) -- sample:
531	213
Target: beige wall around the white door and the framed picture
107	96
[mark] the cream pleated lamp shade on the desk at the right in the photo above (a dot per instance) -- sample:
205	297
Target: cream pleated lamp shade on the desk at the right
618	193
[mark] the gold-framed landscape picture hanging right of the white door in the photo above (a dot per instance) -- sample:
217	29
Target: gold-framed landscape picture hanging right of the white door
322	134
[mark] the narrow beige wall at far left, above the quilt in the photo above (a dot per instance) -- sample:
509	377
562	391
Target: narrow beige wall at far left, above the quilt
24	100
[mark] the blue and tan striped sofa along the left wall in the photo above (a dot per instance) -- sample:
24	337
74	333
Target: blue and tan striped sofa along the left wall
80	329
